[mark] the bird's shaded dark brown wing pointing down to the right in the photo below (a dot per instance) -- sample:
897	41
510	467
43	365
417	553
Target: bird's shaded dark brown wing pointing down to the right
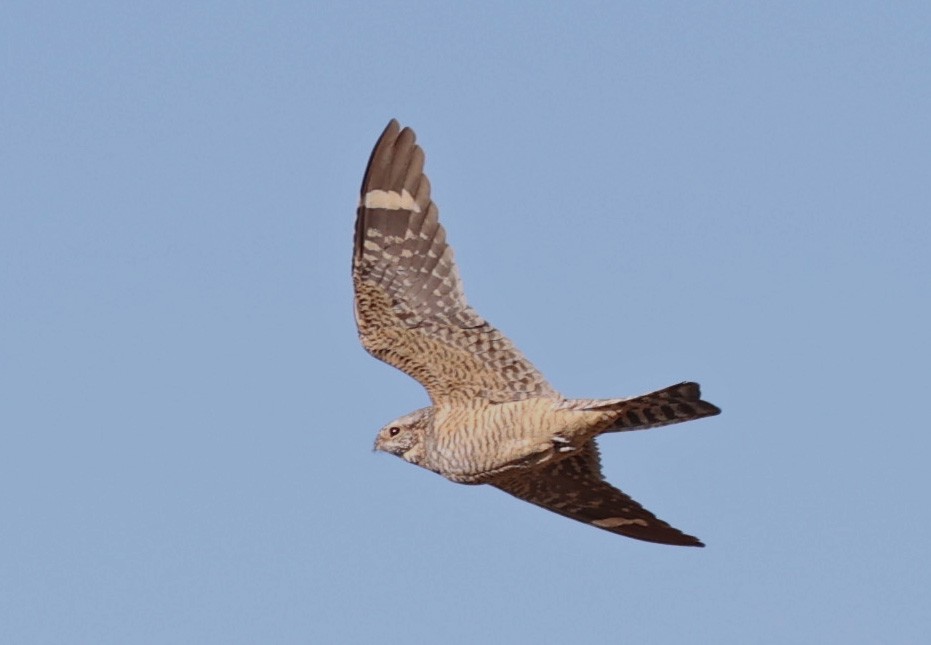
574	487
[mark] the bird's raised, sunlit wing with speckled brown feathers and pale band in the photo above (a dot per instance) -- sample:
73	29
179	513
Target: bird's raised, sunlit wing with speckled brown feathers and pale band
410	308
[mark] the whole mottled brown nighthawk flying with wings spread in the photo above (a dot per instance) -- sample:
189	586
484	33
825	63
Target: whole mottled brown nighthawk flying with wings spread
494	419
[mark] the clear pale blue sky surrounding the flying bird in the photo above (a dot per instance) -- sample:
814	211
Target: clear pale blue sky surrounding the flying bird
638	194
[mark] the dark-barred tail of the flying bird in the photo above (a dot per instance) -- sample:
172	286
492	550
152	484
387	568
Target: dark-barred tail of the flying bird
673	404
